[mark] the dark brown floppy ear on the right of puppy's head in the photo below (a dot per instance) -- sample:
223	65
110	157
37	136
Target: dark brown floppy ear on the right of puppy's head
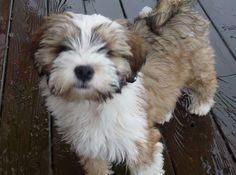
139	50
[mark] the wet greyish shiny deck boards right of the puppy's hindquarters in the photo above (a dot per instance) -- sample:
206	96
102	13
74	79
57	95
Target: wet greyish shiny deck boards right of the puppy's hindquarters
225	25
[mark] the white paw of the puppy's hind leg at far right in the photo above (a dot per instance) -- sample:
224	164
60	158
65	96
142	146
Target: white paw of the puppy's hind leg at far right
199	108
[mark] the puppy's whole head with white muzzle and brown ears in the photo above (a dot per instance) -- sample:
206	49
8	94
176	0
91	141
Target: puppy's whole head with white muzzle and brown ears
87	56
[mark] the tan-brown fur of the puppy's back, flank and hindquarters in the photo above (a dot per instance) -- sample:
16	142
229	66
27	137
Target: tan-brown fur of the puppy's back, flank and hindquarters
181	56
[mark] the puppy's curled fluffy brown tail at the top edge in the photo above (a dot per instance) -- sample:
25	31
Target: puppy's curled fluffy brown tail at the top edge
164	11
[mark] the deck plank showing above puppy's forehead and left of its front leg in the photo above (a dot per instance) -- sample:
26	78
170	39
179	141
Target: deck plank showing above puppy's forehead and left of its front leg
65	161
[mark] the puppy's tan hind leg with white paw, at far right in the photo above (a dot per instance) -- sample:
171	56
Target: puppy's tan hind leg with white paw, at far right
203	84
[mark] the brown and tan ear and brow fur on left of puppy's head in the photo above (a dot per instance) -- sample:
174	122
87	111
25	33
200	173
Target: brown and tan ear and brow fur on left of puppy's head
50	38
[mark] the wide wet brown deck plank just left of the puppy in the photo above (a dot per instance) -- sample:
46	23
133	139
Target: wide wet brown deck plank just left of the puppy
24	125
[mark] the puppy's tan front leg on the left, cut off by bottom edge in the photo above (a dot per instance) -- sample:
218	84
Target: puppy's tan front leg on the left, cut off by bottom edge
96	167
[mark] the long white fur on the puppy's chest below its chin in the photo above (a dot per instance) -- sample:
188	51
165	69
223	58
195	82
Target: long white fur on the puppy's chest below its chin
107	131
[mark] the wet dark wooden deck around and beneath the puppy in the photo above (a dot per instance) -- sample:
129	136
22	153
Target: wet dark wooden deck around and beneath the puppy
29	144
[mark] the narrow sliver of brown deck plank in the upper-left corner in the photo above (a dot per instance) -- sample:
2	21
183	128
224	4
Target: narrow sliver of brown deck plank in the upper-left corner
5	22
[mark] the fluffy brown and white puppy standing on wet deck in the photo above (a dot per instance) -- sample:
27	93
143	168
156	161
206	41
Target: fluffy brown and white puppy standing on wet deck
105	100
